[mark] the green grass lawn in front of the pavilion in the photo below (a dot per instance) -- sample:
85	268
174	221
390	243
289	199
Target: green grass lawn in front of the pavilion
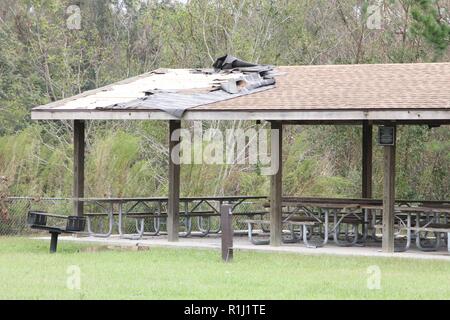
27	271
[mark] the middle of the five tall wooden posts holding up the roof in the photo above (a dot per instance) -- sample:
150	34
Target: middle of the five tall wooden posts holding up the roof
276	184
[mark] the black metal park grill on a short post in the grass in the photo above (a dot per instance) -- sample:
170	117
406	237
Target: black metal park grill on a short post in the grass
38	220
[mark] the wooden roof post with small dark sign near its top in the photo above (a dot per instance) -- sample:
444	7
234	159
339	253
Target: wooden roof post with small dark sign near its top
388	198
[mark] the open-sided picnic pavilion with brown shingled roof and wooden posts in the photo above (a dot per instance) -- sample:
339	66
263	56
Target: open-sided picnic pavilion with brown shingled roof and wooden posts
364	95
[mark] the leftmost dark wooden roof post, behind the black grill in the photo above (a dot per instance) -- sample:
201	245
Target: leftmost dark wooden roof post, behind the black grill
78	166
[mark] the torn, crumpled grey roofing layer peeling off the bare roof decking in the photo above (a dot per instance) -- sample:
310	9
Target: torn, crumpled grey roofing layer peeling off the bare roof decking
232	78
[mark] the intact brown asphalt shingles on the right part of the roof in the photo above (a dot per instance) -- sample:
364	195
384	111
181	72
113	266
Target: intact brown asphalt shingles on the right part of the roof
375	86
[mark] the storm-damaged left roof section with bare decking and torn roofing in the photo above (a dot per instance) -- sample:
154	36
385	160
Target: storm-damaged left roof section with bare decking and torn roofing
176	90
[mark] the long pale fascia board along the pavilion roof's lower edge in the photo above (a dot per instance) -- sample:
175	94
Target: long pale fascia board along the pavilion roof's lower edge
439	116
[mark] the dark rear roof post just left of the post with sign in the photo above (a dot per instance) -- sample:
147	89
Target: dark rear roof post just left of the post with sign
366	160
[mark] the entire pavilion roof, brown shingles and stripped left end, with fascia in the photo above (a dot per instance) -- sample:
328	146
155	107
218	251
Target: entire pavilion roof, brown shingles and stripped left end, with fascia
239	90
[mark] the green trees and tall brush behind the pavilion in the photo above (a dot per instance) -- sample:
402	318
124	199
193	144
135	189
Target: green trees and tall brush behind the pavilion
41	60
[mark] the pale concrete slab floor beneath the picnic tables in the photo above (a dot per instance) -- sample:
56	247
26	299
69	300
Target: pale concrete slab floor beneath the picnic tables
242	243
